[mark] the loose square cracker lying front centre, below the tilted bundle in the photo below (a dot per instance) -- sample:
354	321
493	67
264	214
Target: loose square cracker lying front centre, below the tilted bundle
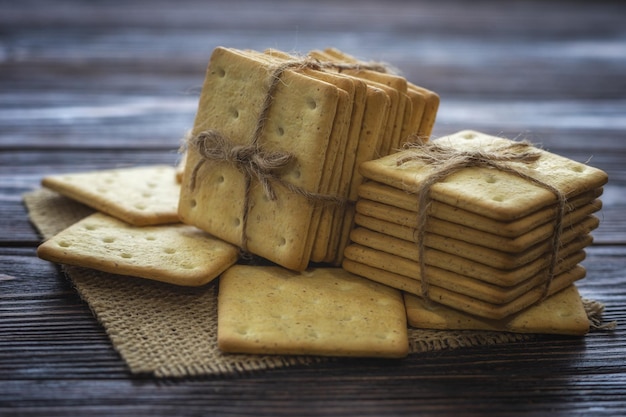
326	311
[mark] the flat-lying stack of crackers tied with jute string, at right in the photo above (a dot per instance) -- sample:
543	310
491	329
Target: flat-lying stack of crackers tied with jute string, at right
484	237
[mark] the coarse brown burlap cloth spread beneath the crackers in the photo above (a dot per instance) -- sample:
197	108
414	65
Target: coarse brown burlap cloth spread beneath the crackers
170	331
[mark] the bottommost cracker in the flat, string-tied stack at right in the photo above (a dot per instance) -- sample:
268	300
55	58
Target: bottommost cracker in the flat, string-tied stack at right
462	302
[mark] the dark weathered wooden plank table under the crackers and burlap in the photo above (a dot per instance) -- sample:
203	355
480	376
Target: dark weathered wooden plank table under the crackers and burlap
93	85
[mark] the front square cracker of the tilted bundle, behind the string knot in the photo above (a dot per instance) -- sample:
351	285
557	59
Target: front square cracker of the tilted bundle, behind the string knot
300	122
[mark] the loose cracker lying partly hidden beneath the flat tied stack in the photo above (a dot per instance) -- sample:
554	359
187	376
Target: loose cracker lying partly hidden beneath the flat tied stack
562	313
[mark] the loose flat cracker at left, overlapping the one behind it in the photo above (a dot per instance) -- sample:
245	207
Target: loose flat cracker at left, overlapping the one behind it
176	254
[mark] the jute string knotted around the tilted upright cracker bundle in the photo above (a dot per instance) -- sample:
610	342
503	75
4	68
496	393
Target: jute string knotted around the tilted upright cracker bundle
251	159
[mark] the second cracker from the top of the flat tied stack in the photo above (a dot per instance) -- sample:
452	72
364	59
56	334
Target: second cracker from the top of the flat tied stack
374	191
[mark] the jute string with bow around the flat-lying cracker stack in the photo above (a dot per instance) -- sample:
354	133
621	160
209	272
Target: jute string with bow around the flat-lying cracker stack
448	160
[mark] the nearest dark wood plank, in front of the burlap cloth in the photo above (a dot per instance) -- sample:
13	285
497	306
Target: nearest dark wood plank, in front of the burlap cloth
42	332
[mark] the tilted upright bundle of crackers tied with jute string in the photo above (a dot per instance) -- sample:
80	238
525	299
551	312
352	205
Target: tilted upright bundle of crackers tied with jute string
272	160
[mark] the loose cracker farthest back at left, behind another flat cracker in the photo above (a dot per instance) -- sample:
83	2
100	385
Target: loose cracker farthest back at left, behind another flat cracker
145	195
